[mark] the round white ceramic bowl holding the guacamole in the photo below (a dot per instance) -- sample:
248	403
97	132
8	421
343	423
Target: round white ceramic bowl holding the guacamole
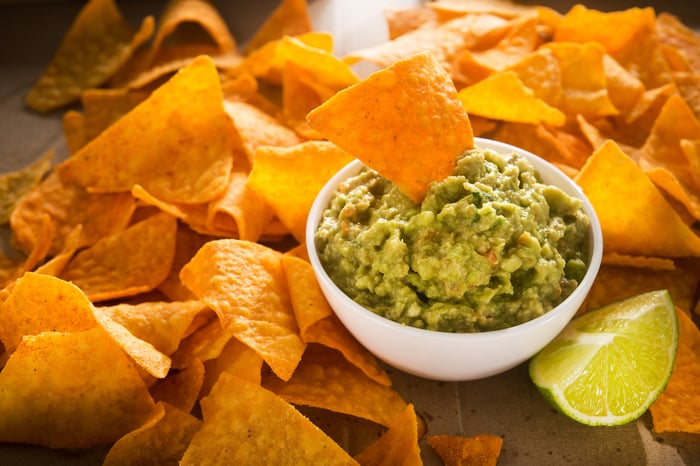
455	356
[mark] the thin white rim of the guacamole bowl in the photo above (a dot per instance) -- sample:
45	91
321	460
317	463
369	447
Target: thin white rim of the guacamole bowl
563	181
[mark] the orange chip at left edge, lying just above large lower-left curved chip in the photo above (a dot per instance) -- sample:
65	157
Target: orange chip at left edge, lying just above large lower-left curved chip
41	303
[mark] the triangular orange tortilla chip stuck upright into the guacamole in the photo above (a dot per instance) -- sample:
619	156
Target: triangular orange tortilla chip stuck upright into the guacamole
404	121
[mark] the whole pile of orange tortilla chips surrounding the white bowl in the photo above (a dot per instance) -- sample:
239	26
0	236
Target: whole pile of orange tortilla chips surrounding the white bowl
162	302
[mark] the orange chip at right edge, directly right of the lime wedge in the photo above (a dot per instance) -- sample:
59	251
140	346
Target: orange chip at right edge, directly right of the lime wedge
677	409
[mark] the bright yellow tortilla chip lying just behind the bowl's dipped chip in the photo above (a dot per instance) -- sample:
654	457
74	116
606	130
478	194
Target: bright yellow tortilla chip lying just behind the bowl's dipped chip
502	96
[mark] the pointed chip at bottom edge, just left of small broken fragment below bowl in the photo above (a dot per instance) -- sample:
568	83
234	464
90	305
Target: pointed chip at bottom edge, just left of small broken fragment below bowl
398	445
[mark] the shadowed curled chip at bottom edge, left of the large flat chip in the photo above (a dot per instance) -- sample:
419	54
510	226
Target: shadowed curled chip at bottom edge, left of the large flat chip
162	440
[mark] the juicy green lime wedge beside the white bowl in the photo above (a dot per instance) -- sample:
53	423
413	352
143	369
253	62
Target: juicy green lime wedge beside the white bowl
609	365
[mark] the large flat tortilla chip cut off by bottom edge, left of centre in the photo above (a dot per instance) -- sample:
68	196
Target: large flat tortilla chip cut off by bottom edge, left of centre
247	424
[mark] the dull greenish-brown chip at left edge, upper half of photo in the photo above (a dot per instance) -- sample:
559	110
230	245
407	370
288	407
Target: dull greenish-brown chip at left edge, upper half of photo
15	184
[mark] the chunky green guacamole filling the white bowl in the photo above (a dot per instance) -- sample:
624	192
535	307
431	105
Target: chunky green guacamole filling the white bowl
490	246
